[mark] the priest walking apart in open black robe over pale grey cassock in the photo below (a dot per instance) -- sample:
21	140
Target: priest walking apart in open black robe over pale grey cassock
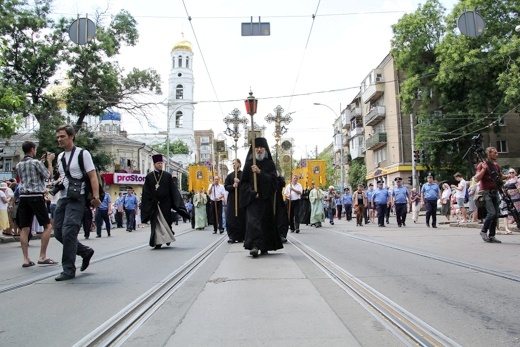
160	196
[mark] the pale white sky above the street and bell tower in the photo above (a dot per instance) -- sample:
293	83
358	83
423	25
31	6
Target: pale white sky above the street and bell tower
322	60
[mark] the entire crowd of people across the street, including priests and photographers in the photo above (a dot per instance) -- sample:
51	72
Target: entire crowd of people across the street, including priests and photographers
254	205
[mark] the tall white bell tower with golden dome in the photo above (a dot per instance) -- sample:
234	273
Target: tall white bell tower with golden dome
180	98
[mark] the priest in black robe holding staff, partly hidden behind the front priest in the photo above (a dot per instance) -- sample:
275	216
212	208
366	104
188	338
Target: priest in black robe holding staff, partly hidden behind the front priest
235	215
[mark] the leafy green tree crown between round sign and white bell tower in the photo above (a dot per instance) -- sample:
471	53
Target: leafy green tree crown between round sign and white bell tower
98	83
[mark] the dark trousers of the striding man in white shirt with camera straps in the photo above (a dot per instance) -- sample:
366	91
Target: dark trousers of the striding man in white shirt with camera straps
67	223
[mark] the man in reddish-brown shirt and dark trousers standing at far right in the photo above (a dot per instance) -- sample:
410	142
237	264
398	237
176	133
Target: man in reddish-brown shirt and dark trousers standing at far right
487	173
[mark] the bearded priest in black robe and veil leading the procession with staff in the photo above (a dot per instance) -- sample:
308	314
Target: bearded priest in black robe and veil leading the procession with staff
260	205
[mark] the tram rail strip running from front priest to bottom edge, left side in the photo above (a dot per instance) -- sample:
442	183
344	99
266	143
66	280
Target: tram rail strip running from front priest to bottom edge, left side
116	330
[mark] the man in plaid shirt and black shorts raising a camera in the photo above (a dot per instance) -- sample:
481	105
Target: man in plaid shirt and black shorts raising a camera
33	174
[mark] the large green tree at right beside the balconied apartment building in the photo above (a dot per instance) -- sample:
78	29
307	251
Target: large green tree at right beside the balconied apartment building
457	86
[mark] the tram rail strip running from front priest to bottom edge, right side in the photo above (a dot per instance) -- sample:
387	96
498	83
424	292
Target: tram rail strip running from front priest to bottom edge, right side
408	328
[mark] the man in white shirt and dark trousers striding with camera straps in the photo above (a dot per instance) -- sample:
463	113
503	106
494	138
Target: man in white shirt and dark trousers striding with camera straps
71	206
